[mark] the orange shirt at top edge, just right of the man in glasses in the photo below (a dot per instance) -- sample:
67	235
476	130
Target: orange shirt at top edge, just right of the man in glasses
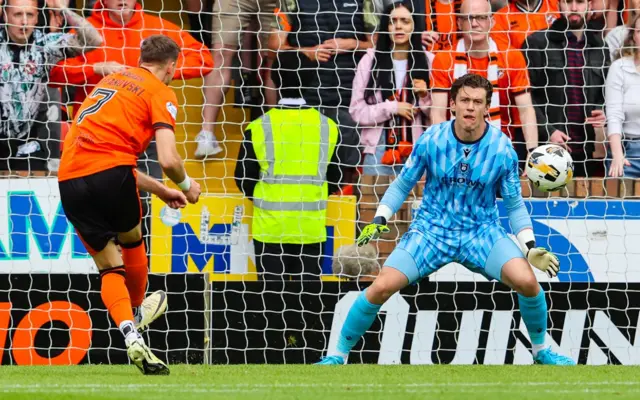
520	18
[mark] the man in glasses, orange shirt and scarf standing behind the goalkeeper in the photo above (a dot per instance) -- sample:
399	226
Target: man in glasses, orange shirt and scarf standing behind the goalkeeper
477	53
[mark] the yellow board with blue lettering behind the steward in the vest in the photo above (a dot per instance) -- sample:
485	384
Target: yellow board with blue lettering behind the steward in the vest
214	236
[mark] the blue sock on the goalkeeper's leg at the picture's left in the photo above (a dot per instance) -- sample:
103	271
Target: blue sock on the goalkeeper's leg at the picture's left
359	319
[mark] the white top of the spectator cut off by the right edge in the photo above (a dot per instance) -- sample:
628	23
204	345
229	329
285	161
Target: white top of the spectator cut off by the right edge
623	98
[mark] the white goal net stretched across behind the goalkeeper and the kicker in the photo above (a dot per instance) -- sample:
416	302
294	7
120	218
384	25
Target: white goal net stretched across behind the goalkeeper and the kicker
222	307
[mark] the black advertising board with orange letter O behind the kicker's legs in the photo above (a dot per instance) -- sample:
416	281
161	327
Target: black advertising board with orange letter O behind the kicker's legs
59	319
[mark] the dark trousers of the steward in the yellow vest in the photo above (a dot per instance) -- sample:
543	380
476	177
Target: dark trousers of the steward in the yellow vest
278	262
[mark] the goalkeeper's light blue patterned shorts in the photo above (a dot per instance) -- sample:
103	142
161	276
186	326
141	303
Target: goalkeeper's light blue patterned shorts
484	251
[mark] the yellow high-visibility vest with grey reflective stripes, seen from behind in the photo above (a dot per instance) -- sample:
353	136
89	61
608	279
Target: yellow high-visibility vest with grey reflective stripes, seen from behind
294	147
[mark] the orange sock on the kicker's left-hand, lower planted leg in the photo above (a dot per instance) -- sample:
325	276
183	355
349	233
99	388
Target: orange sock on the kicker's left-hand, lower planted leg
115	295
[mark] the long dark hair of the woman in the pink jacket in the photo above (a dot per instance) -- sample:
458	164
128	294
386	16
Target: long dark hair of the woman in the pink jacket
382	68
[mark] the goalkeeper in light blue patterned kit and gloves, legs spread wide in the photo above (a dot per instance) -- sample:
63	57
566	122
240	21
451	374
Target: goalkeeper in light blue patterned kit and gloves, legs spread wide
466	160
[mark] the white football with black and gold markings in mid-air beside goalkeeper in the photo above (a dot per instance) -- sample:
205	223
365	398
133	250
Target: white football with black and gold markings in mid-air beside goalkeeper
549	168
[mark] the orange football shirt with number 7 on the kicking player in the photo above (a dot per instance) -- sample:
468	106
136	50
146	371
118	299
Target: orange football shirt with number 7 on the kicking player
116	122
